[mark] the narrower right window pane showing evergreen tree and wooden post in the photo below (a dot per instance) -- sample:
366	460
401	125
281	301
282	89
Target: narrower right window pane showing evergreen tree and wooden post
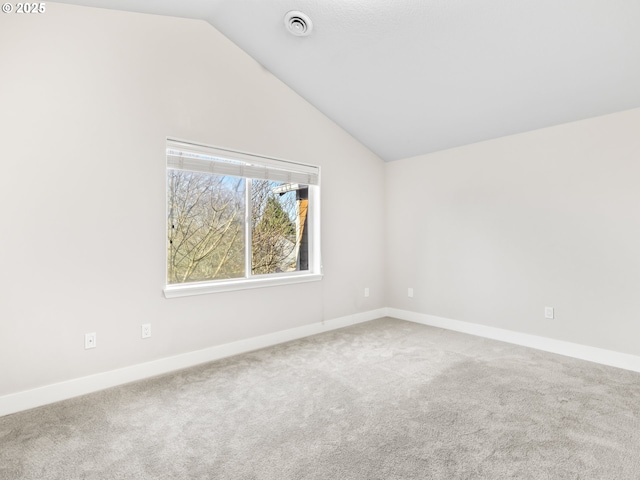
278	227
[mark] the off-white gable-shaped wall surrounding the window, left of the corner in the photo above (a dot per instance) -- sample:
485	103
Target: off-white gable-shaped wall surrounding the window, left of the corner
87	99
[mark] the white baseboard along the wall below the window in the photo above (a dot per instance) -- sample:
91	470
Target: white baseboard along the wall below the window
80	386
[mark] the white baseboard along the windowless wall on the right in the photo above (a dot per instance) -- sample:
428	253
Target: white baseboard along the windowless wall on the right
568	349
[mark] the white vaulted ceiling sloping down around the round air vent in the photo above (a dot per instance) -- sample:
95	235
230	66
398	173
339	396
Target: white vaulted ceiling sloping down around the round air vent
416	76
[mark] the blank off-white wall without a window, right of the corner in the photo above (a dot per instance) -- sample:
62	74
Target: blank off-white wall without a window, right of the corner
492	233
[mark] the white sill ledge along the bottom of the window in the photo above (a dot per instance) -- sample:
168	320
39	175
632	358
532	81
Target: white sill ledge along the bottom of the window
203	288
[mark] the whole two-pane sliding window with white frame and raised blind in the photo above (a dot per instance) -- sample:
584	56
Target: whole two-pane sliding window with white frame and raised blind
236	220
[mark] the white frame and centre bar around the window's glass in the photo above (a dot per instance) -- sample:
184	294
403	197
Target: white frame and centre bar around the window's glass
254	164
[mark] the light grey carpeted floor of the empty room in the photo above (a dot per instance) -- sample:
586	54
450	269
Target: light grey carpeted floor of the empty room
382	400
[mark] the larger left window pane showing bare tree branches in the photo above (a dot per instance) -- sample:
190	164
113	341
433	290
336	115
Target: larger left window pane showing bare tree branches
205	226
